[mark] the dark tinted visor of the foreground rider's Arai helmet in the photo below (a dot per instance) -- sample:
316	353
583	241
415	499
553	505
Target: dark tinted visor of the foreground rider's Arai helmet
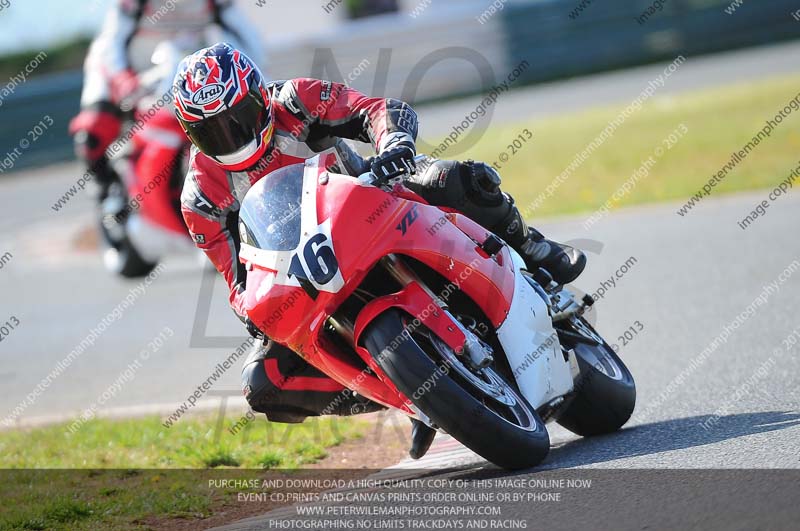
232	129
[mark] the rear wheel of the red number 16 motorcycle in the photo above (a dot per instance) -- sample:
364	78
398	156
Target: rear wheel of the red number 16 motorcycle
605	393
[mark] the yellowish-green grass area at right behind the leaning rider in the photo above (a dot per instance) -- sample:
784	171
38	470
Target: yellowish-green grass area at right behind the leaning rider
720	121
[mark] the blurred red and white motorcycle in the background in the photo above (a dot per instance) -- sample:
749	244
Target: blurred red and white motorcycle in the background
140	219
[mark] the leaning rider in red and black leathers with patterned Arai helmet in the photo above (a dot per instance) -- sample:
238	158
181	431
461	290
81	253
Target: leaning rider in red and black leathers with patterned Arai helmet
244	128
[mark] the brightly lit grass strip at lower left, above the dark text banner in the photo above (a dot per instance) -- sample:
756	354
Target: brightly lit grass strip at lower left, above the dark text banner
189	443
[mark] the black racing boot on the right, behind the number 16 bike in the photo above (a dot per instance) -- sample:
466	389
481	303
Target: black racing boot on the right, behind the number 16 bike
563	262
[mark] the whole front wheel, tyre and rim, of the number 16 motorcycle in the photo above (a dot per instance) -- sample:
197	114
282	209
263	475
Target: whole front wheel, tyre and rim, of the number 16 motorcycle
476	406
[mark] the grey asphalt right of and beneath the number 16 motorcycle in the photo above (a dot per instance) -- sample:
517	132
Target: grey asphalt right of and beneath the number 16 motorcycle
733	407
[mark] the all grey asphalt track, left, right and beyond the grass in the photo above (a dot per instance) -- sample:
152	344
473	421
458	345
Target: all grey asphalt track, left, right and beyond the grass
692	277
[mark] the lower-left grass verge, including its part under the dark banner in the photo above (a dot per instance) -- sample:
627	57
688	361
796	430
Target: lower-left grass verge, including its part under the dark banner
92	498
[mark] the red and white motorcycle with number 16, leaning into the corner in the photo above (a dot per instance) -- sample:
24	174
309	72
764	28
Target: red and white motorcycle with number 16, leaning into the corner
425	311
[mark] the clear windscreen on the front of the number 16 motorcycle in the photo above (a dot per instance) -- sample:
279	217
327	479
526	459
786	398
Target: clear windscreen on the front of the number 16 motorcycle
269	218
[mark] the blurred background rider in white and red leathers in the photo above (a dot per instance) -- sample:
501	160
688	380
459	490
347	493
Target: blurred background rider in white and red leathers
131	31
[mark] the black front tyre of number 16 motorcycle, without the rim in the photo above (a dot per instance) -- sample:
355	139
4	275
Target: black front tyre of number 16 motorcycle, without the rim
449	404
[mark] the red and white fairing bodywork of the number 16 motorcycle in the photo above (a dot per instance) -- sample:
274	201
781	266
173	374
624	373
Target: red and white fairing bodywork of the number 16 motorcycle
347	228
